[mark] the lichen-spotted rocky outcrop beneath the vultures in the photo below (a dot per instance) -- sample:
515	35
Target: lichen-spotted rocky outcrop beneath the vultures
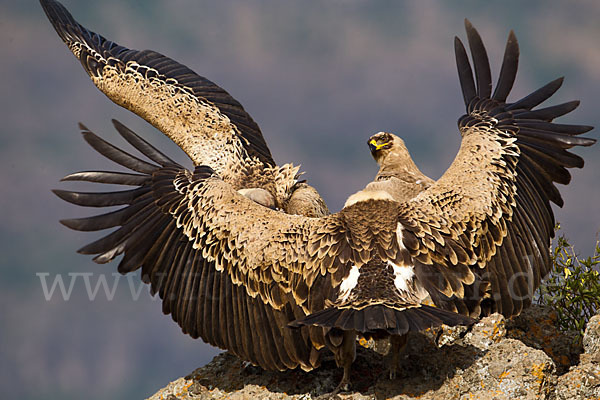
524	358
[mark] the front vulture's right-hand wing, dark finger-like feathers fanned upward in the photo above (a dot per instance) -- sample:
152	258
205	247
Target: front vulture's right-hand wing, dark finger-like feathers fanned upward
491	208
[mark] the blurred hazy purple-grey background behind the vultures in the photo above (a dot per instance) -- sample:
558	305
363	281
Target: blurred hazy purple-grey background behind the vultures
318	76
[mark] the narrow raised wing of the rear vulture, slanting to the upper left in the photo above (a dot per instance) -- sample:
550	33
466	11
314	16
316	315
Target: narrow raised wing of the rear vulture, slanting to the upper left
203	119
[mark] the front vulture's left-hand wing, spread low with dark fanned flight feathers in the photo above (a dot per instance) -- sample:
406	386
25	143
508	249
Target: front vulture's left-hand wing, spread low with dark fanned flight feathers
208	271
